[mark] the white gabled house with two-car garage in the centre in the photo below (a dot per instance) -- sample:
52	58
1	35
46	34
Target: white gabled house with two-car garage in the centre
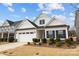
42	27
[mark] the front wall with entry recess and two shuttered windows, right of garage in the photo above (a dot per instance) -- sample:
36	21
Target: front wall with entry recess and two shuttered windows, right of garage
52	33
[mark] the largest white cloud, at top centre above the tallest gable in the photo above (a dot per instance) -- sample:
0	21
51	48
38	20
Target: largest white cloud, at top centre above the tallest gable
47	8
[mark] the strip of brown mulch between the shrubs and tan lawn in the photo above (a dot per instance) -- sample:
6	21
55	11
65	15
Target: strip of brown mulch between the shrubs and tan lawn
51	46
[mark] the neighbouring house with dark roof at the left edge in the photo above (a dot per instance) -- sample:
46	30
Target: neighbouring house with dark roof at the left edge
7	30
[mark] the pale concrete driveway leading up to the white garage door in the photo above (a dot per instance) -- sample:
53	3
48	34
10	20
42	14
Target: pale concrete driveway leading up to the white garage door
9	46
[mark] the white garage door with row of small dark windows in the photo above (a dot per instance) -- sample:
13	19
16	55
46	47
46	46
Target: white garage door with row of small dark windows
26	36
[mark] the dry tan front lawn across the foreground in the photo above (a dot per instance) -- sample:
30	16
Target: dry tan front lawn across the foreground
28	50
